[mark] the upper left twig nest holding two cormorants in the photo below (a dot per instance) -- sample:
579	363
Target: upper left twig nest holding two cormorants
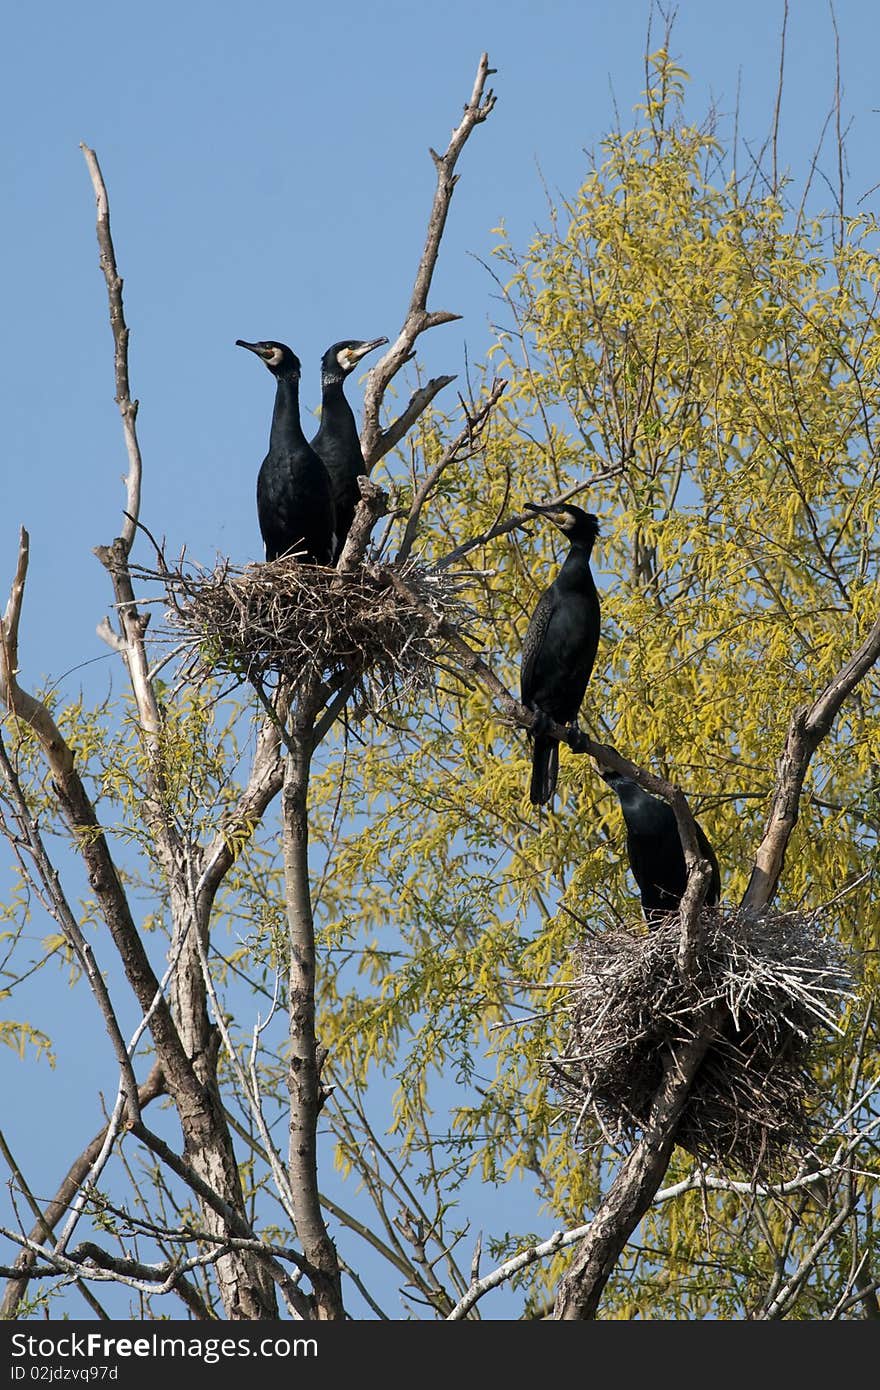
375	629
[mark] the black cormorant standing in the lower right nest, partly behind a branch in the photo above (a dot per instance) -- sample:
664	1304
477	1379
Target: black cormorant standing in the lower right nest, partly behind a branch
655	851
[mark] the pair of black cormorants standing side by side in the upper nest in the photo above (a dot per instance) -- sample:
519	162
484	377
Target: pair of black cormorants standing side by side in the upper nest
308	491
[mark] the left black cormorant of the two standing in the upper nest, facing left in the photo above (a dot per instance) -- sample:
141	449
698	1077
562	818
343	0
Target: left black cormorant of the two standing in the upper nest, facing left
295	504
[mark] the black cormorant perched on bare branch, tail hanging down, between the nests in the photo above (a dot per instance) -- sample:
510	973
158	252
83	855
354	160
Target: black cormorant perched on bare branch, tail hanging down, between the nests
561	643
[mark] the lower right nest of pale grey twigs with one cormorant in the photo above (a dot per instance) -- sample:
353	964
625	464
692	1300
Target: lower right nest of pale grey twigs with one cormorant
753	1104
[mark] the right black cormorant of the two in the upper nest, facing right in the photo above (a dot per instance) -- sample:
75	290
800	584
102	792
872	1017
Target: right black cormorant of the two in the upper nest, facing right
337	443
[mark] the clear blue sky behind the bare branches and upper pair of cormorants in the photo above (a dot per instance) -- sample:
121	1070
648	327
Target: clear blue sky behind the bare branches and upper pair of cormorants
269	177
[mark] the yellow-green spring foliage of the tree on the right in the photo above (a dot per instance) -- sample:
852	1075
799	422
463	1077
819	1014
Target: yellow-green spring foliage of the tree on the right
703	362
